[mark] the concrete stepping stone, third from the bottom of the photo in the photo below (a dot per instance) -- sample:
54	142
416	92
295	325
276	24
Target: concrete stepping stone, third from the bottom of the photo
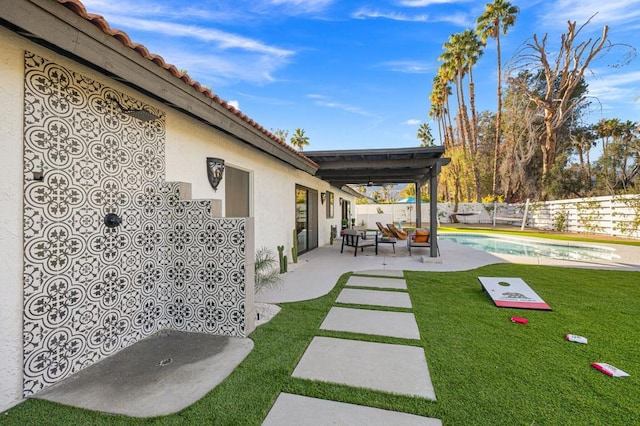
381	323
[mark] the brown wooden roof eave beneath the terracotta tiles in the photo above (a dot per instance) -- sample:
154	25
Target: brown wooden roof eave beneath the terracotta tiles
51	24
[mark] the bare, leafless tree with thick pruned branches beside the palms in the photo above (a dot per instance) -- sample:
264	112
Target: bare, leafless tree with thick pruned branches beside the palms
563	74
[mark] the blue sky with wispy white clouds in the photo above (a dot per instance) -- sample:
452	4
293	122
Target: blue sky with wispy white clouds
357	74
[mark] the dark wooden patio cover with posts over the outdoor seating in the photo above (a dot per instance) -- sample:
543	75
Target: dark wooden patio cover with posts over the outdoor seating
376	167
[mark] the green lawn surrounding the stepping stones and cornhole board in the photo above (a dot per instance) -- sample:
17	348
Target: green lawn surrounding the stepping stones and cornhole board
485	369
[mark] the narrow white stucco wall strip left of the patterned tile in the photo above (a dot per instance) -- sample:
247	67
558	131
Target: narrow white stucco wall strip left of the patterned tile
11	101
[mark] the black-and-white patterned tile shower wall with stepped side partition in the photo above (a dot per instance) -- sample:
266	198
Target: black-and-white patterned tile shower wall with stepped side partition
90	289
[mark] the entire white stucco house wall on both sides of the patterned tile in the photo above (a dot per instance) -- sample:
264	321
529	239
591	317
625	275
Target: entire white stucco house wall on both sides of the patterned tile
188	143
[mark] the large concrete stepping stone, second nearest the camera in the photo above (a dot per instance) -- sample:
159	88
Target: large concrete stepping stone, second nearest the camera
384	367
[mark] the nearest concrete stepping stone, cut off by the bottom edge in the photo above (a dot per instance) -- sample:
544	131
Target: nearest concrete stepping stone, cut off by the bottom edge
295	410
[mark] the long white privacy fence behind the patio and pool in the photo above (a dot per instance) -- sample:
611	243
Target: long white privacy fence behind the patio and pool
611	215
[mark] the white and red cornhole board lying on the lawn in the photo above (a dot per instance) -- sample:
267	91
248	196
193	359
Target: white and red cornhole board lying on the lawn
512	293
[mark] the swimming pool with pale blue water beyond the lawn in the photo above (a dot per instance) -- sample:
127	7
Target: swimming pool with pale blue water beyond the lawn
529	248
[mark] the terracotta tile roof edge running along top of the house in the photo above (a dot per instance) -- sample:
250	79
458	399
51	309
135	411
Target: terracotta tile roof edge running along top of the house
78	8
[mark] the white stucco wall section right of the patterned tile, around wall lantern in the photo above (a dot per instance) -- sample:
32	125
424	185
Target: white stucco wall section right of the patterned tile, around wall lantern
189	142
